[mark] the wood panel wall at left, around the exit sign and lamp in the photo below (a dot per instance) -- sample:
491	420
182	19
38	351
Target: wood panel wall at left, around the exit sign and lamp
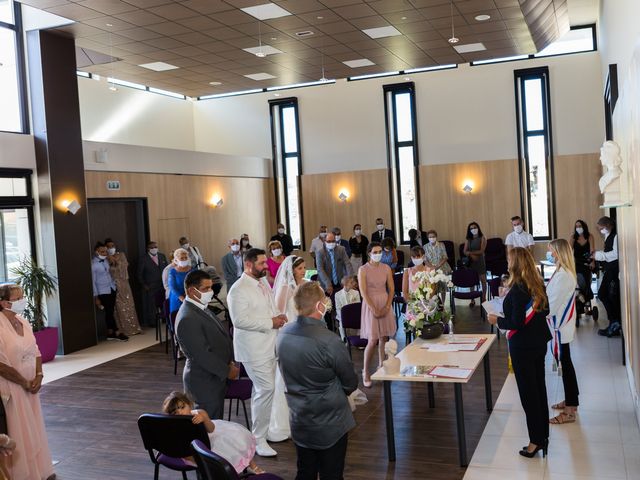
179	205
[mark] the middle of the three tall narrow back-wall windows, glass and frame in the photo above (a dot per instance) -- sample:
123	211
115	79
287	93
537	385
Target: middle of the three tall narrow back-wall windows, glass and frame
402	150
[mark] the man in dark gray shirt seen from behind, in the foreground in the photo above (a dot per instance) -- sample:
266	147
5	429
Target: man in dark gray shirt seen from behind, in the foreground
319	376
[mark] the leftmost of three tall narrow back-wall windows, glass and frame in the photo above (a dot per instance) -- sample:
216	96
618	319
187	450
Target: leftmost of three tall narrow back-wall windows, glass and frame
285	137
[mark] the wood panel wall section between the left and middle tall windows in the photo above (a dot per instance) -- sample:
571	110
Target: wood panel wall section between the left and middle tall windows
368	200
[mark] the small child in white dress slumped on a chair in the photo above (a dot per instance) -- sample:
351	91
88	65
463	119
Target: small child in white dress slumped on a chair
230	440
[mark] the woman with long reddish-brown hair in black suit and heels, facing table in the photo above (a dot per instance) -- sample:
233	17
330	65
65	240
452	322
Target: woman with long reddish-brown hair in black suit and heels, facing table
525	312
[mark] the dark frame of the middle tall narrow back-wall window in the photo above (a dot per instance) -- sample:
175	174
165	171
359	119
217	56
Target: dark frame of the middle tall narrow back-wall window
393	155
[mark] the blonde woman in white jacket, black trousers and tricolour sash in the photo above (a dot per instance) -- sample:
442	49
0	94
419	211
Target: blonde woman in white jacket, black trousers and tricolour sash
561	292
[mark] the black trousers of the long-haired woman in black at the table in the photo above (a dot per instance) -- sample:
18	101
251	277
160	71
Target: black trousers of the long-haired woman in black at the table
528	367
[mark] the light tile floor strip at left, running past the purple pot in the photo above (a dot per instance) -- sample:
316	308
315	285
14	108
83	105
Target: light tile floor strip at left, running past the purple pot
105	351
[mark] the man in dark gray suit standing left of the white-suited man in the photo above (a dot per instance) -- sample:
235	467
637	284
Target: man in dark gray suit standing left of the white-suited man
207	346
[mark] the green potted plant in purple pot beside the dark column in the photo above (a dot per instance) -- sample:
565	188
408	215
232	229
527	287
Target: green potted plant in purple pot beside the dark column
38	284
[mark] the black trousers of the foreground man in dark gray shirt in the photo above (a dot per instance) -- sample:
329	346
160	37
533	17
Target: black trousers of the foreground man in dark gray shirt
328	463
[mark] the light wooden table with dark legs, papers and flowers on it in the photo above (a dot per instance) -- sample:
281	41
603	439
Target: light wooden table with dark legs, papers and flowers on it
414	355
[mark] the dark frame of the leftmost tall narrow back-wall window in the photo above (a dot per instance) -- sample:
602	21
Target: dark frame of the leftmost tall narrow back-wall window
280	158
